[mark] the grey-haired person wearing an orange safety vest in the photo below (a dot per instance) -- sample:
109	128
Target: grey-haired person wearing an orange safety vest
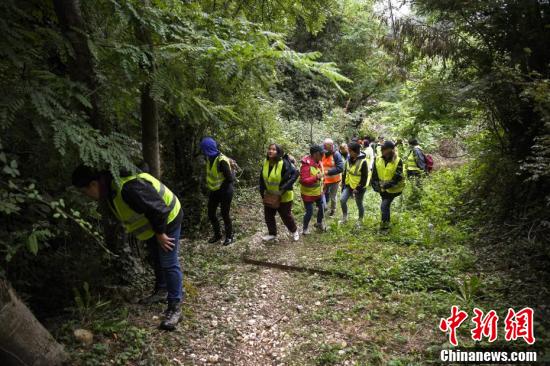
333	164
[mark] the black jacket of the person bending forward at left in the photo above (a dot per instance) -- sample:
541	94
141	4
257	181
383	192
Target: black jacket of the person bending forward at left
143	198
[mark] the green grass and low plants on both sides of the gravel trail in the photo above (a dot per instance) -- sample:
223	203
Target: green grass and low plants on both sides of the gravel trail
385	312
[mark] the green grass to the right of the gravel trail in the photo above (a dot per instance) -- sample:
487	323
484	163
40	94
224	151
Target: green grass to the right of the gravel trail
402	282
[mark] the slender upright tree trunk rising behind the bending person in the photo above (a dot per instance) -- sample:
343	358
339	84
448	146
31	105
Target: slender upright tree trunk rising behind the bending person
149	115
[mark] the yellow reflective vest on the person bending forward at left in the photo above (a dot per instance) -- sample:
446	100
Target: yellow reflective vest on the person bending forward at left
136	223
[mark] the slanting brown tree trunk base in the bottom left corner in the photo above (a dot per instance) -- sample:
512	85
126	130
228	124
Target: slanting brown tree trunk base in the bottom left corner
23	340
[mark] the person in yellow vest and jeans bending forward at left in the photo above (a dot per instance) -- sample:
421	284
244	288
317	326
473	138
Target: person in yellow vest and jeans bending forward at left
152	213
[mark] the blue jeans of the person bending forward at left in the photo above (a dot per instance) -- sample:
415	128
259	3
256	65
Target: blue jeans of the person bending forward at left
167	269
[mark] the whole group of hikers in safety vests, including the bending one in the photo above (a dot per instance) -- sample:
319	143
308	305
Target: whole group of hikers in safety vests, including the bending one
152	212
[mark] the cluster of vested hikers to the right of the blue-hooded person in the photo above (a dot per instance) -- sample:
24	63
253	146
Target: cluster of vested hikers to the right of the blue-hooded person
351	169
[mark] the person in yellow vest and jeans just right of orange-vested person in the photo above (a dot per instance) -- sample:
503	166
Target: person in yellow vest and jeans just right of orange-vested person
355	180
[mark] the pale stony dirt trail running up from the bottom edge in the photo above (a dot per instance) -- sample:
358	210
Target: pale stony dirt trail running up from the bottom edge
245	320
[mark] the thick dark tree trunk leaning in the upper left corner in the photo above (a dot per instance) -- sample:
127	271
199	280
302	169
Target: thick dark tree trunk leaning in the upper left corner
81	68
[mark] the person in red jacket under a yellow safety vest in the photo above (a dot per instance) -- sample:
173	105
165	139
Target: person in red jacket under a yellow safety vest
311	187
